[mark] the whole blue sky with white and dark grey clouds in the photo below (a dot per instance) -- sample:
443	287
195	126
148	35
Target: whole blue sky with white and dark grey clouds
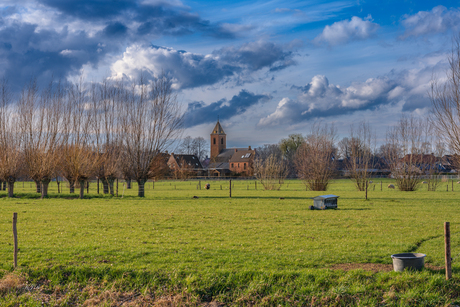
266	69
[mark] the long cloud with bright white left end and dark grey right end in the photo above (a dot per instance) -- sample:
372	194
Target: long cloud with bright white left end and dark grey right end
193	70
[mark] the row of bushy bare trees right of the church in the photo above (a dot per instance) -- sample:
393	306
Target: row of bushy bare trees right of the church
411	154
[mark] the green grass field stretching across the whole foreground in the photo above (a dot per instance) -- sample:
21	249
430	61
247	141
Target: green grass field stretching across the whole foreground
257	248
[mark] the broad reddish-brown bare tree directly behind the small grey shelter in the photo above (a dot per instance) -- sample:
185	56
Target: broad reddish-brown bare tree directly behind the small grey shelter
315	159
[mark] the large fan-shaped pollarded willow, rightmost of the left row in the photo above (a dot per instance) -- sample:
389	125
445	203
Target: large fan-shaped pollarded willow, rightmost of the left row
151	120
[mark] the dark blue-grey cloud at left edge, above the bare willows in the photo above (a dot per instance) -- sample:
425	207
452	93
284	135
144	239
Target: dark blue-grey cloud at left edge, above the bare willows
28	53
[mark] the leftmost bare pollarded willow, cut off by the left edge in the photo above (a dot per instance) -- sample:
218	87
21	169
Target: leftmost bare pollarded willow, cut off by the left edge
11	158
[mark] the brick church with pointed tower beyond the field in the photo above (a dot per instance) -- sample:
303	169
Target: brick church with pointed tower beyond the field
229	161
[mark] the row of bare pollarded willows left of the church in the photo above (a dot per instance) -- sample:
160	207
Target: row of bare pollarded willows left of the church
107	130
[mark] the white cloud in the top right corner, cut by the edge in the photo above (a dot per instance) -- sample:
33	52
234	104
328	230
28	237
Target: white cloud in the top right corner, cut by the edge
439	19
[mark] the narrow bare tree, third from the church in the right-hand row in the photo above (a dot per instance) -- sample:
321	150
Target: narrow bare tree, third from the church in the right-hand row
359	149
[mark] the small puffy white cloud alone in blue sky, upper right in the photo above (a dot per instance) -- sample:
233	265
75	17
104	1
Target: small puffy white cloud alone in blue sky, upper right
344	31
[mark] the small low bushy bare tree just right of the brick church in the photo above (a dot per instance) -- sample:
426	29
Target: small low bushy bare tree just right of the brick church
270	171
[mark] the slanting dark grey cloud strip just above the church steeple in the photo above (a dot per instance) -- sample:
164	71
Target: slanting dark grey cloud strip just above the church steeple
198	113
